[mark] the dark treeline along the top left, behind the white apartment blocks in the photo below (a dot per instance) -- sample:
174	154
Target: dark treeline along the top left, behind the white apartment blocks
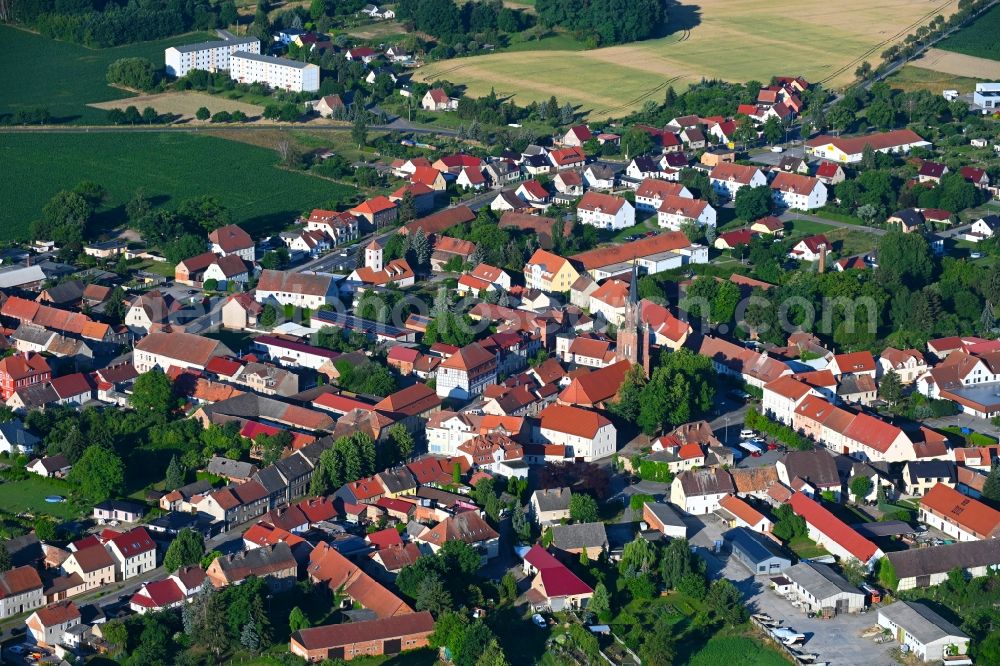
100	25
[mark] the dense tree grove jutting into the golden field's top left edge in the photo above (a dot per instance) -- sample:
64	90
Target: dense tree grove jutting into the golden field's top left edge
605	22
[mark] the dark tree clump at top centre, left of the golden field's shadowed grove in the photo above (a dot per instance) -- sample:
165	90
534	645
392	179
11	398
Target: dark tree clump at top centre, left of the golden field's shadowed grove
450	22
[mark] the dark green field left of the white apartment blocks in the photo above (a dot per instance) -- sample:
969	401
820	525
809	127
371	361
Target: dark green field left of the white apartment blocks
63	77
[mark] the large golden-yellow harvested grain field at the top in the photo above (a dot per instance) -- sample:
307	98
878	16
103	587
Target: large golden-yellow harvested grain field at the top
737	40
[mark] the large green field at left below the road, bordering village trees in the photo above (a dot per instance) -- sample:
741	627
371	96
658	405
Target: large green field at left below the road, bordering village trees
169	166
